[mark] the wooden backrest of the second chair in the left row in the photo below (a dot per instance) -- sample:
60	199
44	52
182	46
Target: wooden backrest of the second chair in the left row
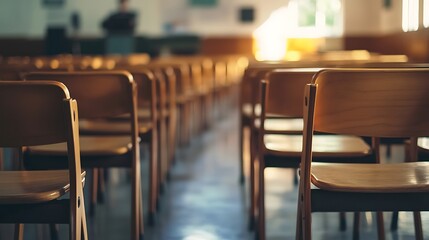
100	94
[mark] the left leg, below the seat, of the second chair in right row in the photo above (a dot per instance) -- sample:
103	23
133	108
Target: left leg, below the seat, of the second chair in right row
261	201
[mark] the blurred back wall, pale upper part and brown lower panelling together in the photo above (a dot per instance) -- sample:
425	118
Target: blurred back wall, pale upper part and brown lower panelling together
368	24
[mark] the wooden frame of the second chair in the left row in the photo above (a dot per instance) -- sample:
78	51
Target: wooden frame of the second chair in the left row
121	99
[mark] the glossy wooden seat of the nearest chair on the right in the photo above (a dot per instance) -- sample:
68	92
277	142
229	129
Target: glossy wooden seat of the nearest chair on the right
389	178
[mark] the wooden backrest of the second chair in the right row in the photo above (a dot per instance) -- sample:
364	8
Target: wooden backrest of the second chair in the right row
285	91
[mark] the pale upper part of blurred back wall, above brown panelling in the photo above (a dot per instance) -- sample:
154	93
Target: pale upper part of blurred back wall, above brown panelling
29	18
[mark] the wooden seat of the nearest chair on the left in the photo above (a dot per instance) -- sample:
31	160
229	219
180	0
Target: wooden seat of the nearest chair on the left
17	187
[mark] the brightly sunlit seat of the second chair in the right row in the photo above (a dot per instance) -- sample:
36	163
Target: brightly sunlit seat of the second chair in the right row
323	145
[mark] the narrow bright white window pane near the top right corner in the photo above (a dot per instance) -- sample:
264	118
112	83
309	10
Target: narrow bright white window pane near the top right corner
410	15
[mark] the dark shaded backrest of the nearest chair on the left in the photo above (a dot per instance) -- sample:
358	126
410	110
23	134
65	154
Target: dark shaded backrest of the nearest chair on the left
34	113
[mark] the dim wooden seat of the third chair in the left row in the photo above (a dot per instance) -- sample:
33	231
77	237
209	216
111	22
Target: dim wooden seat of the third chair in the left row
112	127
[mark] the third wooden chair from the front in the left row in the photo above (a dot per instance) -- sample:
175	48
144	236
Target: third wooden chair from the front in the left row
148	122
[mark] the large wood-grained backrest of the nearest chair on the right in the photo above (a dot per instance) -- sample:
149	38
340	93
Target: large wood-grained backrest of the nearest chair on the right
372	102
